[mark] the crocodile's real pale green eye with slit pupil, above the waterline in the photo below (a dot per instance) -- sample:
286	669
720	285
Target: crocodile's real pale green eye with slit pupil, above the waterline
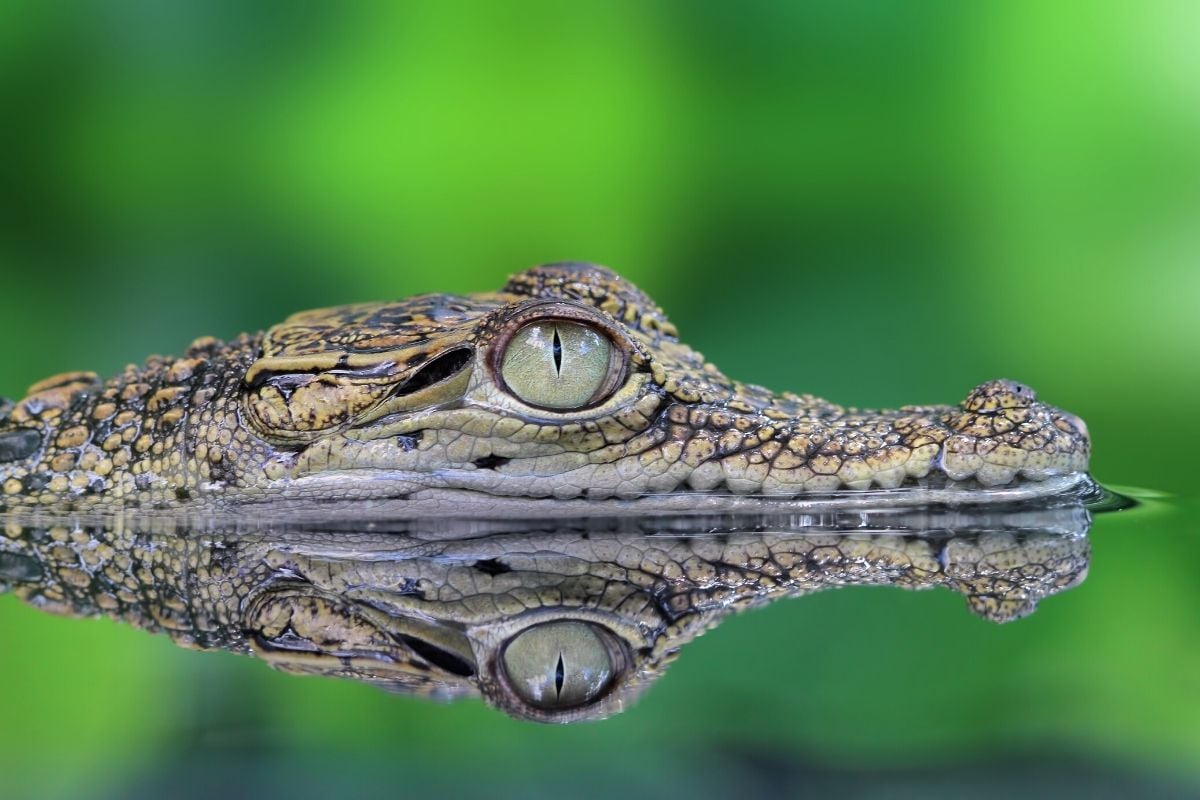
560	365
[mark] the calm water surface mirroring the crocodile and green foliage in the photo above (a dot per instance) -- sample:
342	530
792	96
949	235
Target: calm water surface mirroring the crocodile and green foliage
1089	687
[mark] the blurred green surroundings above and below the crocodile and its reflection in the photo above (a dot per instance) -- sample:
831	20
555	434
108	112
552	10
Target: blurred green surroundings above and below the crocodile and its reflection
880	203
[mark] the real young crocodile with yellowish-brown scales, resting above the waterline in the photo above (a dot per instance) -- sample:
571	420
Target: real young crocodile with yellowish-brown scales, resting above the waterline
569	386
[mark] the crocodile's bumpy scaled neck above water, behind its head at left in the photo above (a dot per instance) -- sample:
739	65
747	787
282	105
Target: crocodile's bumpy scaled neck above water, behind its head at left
152	437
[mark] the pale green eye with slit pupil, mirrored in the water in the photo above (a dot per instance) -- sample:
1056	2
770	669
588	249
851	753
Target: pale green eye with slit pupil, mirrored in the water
561	665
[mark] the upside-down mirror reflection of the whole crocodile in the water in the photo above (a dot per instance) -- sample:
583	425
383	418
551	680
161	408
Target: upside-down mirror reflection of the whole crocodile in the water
550	622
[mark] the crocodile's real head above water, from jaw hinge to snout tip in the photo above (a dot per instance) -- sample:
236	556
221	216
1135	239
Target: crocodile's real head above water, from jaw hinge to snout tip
571	383
